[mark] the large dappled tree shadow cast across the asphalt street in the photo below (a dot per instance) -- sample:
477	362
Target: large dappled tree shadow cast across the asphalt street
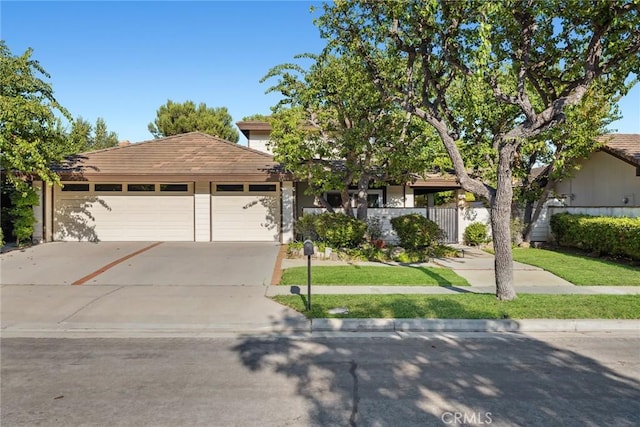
506	380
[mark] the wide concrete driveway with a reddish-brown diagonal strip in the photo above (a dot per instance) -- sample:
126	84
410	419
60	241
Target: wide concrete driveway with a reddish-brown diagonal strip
57	289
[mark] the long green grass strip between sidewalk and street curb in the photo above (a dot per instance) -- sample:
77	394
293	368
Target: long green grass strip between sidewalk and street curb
470	306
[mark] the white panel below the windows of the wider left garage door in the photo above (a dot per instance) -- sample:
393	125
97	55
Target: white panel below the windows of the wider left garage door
126	218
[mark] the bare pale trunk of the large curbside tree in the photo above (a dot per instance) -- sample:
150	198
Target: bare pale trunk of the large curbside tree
501	225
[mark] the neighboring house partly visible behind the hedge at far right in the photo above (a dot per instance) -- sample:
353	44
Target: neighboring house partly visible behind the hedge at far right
606	184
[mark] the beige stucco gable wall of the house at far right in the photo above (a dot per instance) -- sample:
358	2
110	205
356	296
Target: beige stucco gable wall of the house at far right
603	180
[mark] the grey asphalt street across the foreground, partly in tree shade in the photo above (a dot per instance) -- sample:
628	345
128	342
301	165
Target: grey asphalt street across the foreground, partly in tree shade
498	379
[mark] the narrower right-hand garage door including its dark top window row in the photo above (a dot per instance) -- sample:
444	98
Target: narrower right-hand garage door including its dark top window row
245	212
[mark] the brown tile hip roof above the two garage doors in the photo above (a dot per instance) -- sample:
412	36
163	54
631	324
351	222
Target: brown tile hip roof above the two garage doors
184	155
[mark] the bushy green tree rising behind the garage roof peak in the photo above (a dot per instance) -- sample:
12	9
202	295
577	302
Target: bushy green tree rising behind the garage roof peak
174	118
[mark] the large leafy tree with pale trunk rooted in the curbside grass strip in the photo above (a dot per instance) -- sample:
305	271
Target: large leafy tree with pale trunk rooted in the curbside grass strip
536	59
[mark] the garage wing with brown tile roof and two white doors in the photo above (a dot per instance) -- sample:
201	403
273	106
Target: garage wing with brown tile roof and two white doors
189	187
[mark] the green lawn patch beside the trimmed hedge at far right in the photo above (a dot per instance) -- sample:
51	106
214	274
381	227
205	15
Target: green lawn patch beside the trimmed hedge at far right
579	269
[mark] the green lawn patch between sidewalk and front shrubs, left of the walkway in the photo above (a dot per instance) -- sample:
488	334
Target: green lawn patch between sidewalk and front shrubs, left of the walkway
372	275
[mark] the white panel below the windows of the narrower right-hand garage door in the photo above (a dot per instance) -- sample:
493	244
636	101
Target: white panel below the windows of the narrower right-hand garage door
245	217
